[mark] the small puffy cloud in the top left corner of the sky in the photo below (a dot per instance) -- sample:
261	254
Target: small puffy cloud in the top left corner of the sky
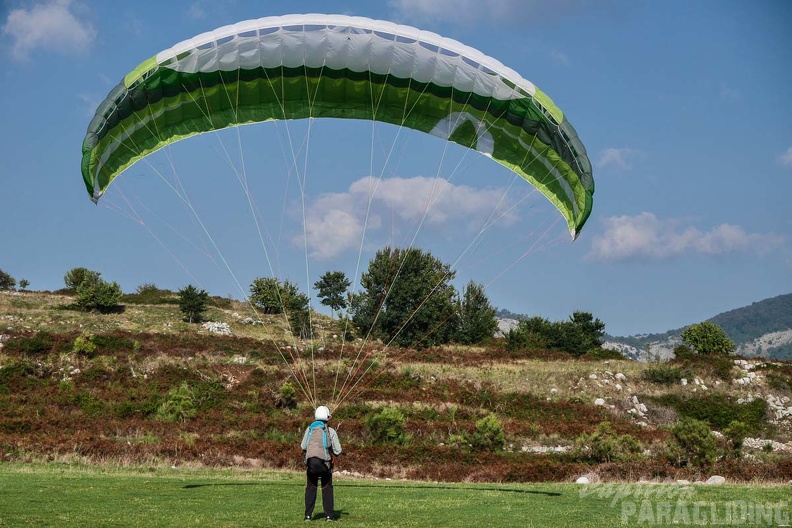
50	26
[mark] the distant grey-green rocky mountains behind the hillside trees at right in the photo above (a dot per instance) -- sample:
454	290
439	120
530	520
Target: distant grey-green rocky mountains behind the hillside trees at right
763	329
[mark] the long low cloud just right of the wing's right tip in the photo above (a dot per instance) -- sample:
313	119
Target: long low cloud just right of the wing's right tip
646	236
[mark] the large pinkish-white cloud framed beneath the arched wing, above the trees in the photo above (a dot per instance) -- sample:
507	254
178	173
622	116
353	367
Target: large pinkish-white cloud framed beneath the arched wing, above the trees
335	222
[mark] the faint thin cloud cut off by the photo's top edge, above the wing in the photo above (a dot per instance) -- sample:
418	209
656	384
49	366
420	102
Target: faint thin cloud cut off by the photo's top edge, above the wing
493	11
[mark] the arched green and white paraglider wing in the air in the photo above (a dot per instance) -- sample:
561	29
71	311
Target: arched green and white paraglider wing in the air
310	66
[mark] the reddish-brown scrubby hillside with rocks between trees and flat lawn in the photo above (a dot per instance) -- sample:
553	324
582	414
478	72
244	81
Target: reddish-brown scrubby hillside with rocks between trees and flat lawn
157	390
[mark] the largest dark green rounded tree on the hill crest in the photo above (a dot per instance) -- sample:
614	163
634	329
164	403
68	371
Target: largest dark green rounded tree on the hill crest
406	299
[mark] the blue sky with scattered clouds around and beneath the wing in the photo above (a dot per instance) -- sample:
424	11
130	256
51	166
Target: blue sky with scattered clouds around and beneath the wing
684	108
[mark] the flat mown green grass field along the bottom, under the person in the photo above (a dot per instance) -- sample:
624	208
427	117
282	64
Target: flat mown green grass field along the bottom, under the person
60	495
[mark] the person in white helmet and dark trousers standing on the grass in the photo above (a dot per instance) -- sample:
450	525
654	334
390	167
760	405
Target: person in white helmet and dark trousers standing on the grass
320	445
